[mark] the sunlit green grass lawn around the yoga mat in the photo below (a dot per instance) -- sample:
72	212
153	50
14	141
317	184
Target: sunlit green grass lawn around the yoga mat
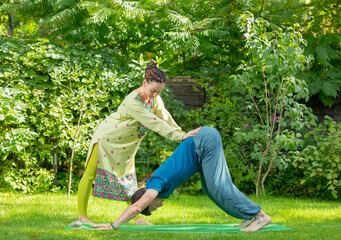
45	216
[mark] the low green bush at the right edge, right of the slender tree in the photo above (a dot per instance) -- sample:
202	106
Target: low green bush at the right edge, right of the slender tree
317	166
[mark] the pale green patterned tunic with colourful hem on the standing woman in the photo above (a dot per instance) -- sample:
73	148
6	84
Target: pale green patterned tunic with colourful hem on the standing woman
119	137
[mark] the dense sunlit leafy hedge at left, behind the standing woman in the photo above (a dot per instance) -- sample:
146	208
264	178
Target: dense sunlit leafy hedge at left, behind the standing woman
44	87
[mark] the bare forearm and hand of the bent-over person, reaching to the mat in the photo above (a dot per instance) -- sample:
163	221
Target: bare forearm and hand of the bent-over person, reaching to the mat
131	211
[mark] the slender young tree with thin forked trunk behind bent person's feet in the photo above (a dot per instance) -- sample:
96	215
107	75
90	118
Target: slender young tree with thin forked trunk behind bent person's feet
268	79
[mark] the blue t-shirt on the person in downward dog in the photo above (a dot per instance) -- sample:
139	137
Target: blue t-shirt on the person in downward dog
176	170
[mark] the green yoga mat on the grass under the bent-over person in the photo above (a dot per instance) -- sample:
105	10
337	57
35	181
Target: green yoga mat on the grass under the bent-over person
189	228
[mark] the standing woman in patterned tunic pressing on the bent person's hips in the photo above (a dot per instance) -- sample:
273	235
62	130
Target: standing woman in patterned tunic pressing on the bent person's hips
110	159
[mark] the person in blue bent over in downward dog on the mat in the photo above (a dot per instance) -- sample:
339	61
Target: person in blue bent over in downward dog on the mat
202	153
